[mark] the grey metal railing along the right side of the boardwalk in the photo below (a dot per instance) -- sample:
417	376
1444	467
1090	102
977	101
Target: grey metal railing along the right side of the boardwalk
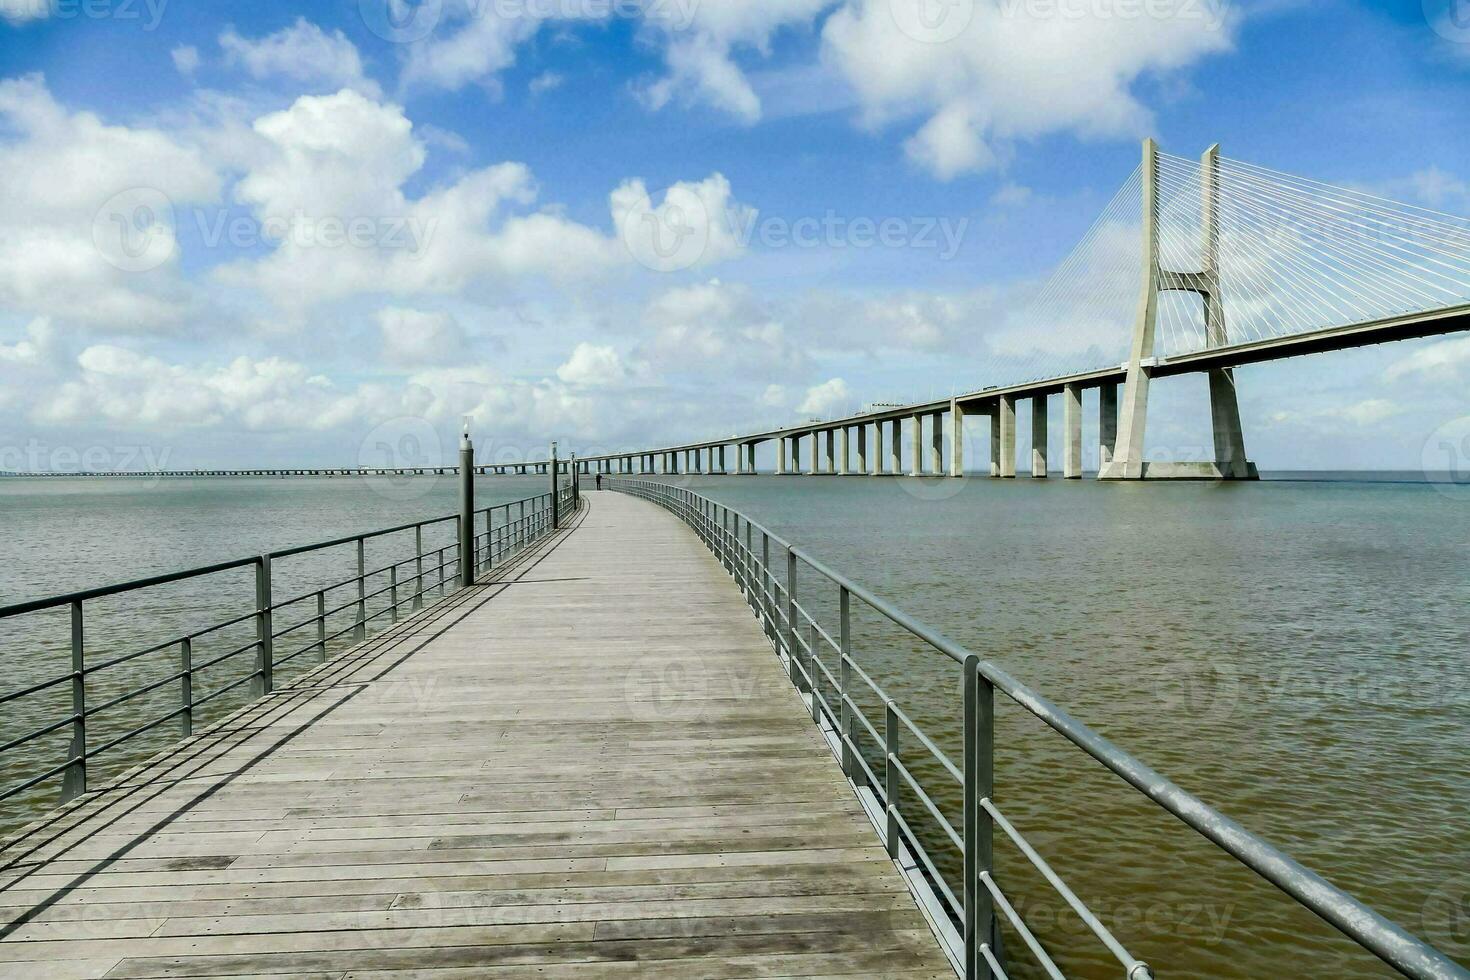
968	919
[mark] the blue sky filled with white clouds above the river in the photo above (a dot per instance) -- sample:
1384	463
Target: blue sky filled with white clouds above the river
518	136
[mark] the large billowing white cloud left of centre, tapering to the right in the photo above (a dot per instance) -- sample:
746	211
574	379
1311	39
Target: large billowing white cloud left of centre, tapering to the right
348	158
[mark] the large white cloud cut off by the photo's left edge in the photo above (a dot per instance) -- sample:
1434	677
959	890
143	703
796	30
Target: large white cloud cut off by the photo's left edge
83	201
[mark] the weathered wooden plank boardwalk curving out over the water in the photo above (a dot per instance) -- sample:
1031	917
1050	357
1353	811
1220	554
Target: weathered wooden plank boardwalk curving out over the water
589	768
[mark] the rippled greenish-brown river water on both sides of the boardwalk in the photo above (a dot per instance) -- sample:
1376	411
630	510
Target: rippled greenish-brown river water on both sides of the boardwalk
1291	652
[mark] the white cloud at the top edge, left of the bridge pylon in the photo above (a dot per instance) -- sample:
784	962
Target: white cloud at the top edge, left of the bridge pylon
1015	71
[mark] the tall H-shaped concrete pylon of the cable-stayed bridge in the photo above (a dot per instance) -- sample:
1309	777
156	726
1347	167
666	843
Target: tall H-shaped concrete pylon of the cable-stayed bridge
1128	462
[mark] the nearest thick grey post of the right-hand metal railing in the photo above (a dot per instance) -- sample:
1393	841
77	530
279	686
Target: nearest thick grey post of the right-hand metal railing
980	741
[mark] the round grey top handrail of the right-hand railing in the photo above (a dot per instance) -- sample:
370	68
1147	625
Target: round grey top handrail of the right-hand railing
1369	929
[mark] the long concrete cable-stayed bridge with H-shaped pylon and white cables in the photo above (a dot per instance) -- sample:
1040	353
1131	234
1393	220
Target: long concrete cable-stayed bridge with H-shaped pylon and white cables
1194	267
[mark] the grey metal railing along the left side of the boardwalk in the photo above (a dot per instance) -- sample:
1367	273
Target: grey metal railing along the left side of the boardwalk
404	586
